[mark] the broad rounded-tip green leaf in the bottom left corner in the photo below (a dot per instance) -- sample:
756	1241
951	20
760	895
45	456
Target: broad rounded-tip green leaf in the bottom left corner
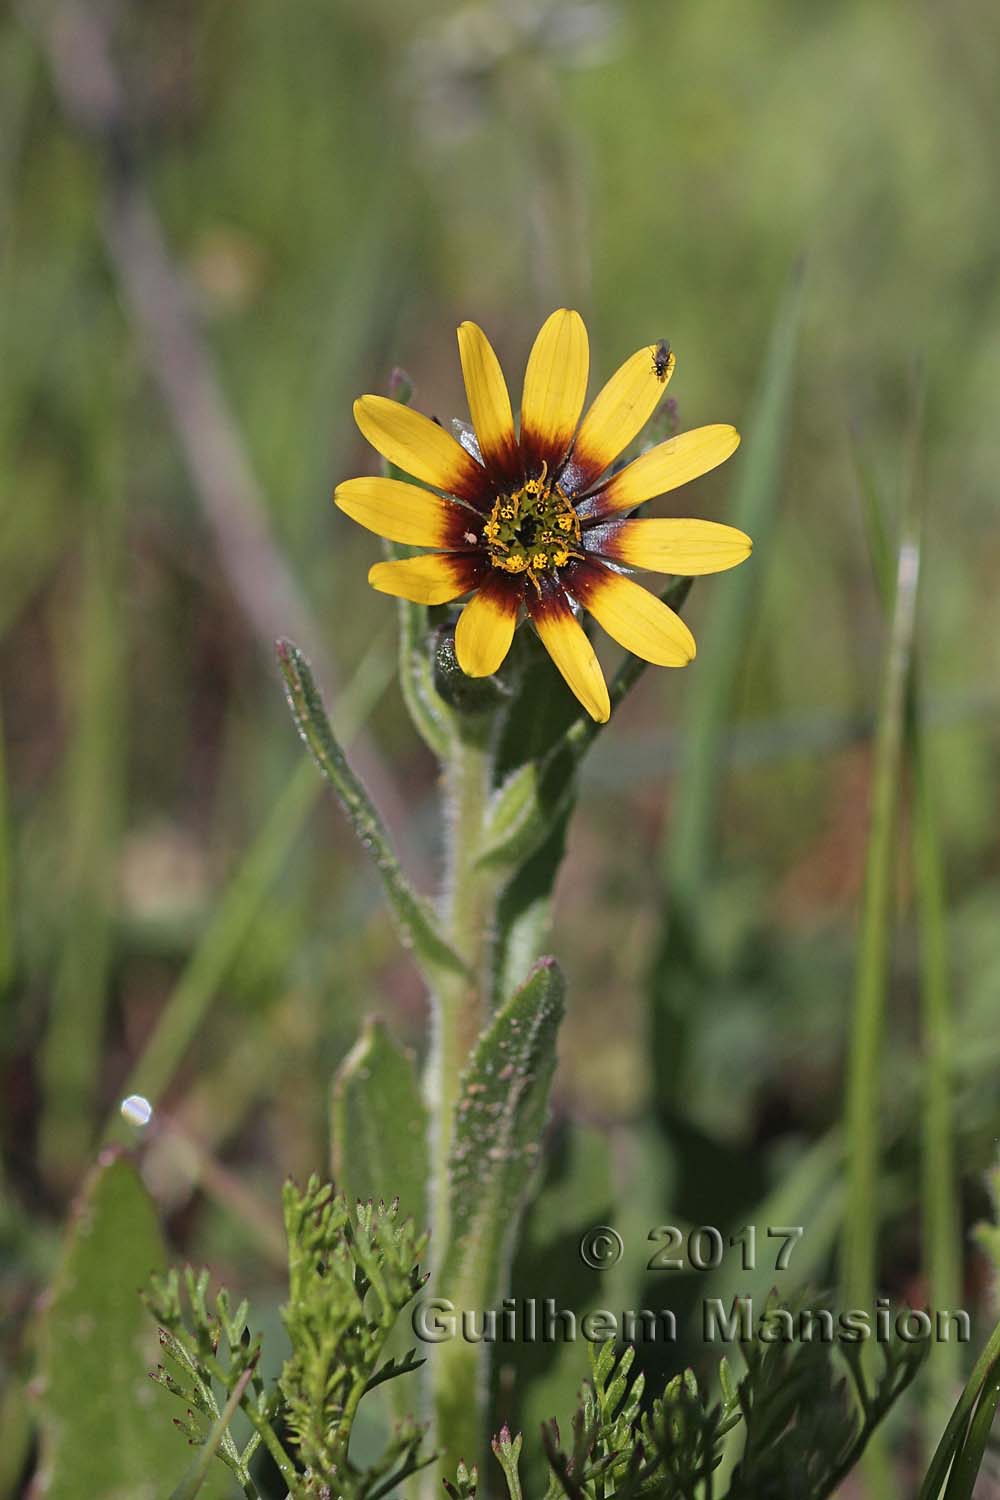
104	1430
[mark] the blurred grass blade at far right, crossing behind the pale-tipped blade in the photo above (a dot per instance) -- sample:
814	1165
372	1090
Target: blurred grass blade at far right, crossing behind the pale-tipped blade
939	1198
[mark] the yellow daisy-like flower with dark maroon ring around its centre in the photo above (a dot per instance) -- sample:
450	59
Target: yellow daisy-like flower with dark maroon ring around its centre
534	520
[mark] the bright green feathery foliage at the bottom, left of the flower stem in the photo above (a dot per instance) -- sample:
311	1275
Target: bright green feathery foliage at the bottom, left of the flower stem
353	1270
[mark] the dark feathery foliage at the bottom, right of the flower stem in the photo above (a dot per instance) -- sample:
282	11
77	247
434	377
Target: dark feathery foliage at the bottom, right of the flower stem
803	1415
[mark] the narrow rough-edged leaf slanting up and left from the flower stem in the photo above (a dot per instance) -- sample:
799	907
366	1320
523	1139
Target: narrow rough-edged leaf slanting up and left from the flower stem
415	920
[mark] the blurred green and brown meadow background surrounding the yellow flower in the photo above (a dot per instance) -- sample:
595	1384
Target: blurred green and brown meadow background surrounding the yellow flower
335	188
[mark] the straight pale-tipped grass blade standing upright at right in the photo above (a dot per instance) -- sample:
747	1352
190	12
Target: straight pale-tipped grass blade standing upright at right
867	1028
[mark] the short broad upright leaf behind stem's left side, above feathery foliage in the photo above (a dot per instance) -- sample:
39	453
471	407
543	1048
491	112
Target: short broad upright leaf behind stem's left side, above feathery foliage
380	1126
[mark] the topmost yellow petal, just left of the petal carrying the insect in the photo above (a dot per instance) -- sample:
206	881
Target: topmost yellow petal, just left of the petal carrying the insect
555	388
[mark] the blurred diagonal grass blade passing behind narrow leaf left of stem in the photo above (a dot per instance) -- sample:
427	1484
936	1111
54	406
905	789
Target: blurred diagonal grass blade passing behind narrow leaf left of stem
200	983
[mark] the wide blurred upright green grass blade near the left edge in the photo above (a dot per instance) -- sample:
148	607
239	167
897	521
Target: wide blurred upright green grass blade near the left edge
95	769
